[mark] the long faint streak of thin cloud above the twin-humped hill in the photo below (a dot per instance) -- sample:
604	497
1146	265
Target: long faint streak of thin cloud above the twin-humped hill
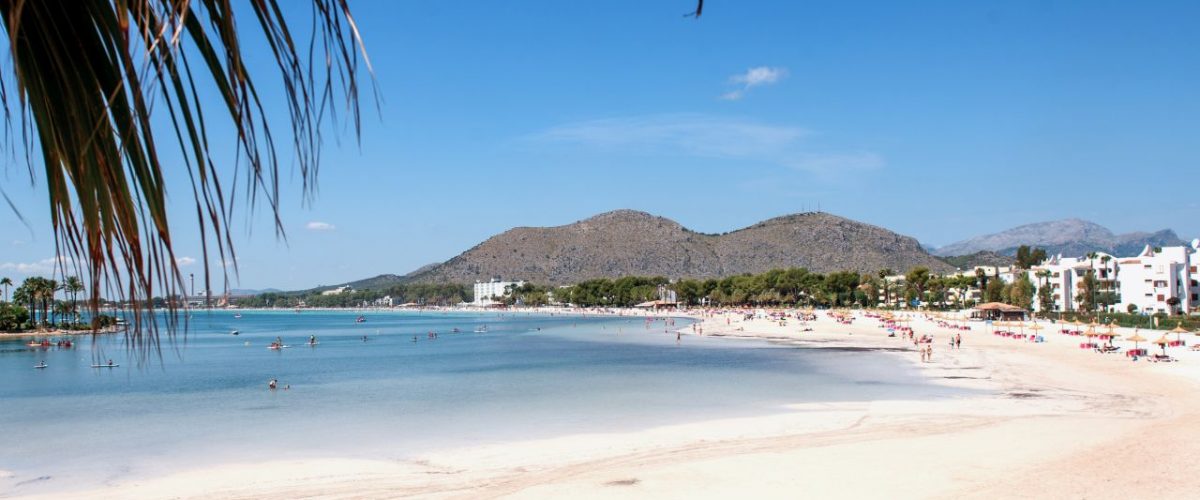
705	136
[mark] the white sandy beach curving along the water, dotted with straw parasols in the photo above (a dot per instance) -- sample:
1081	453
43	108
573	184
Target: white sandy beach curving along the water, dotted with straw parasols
1057	423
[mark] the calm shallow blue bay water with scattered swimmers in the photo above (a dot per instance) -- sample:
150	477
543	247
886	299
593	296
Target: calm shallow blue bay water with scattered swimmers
389	397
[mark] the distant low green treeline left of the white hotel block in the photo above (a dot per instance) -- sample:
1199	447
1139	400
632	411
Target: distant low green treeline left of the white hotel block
423	294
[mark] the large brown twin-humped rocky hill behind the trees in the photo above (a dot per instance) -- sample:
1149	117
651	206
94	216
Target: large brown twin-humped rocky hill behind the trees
628	243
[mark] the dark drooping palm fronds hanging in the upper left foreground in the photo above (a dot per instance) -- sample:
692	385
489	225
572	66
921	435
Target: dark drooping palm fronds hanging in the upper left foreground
88	76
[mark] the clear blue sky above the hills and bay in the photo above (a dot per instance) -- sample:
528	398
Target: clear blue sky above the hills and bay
935	119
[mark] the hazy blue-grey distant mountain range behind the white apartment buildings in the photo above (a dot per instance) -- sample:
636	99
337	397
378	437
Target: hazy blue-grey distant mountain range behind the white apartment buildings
1069	237
